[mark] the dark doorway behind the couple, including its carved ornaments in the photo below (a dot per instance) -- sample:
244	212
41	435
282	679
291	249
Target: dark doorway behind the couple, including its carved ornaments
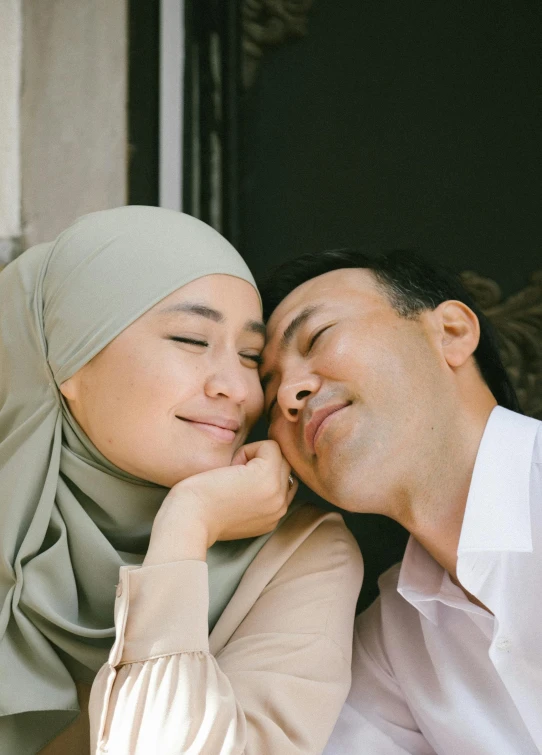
385	123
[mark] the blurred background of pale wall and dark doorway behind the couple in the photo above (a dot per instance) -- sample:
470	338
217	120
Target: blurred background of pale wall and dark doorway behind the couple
292	126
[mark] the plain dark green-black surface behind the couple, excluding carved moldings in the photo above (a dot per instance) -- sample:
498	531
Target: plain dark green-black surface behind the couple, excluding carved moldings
400	124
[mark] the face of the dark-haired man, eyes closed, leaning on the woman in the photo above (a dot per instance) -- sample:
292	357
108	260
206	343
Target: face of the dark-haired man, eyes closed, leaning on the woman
352	389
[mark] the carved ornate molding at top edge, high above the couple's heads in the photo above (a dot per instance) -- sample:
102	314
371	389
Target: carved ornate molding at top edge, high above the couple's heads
266	24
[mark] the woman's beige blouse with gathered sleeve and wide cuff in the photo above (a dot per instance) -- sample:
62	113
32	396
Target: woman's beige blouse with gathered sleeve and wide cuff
277	685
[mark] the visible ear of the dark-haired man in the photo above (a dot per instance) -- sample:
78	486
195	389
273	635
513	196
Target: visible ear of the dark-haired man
460	331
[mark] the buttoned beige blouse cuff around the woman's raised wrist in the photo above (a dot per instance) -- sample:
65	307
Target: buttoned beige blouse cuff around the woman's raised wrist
161	610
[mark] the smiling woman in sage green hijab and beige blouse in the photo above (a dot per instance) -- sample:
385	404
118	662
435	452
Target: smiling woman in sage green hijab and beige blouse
128	360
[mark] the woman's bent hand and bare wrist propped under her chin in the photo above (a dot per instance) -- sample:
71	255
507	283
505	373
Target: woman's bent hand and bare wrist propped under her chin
243	500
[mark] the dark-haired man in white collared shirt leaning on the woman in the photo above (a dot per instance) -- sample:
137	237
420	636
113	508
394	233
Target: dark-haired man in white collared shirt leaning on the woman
385	390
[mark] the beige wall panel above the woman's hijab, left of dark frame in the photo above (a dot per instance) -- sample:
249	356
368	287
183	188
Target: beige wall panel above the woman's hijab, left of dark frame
73	112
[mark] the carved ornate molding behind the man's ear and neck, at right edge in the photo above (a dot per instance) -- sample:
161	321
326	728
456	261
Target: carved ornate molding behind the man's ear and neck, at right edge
518	322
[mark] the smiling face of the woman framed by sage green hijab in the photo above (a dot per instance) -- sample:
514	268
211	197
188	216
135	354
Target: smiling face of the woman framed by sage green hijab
177	392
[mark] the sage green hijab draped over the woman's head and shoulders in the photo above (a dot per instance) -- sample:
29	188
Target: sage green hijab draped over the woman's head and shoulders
68	517
